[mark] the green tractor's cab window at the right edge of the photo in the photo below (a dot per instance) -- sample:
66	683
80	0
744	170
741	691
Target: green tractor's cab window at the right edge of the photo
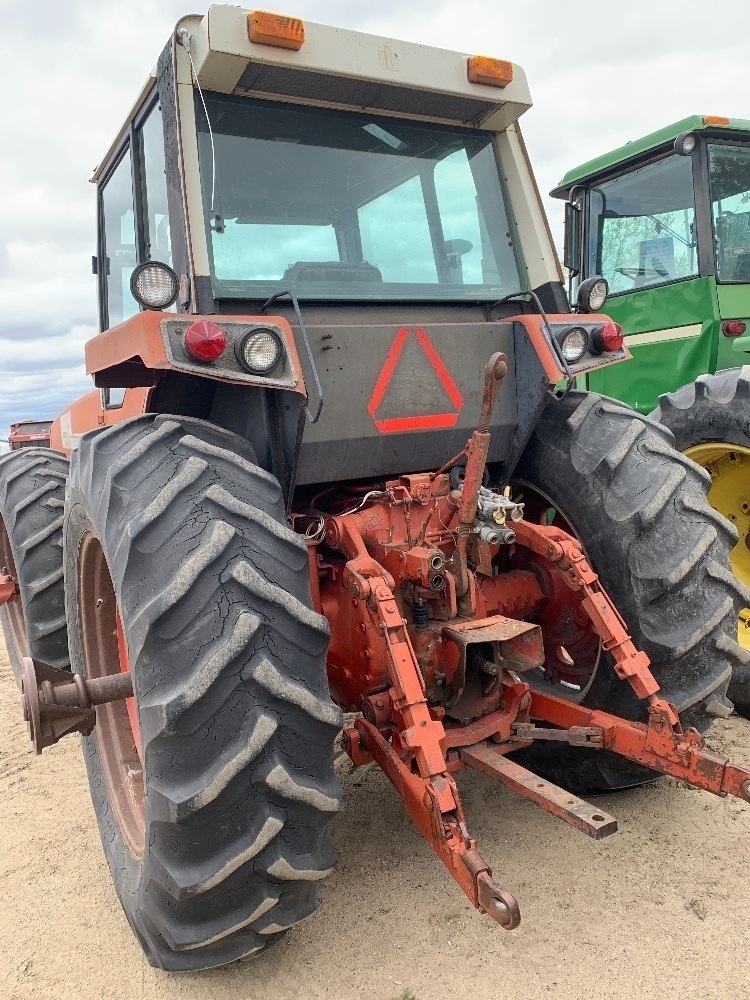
730	205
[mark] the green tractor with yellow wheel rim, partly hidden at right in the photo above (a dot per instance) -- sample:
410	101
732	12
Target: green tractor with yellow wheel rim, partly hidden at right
666	221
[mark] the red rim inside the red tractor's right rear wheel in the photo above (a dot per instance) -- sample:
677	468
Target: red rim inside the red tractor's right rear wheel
584	651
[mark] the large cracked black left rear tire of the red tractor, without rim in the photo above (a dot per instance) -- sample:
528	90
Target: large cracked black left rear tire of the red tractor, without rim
228	659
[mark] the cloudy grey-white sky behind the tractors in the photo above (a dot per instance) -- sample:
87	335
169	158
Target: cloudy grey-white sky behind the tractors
600	74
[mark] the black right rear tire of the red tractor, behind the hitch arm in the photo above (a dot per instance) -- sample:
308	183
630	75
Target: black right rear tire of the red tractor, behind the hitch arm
639	508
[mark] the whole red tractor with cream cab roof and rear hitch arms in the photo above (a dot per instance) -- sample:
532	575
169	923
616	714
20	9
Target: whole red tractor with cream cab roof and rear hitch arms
352	474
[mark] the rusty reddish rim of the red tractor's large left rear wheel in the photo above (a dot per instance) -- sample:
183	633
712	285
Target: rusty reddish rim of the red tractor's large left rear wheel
104	649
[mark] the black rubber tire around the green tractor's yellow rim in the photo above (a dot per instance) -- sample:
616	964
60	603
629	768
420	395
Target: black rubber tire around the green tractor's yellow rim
714	408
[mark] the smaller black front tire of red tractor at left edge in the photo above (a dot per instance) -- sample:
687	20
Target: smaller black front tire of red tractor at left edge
32	498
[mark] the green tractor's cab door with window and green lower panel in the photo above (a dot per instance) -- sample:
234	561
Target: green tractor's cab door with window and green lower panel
642	236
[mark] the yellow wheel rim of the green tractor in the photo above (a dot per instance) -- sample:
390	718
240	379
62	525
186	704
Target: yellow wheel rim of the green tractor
729	468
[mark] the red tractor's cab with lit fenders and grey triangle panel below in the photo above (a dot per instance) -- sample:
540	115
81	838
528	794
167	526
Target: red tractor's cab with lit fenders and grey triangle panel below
354	224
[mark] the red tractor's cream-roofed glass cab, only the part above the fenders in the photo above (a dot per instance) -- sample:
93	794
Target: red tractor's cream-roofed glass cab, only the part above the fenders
255	162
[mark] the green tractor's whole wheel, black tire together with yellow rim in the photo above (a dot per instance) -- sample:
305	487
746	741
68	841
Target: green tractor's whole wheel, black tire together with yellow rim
715	410
